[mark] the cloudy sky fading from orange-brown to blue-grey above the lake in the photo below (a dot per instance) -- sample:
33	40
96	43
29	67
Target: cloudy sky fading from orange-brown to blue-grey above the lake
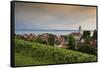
36	16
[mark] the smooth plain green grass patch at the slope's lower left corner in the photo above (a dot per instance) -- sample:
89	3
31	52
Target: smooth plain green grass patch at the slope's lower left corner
27	60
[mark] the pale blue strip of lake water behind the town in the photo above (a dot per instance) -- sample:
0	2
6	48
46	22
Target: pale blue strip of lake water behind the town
56	32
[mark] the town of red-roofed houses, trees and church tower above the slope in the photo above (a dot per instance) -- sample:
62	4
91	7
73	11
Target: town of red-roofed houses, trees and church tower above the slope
72	41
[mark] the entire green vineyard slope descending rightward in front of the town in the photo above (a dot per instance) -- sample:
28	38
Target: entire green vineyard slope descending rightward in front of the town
31	53
